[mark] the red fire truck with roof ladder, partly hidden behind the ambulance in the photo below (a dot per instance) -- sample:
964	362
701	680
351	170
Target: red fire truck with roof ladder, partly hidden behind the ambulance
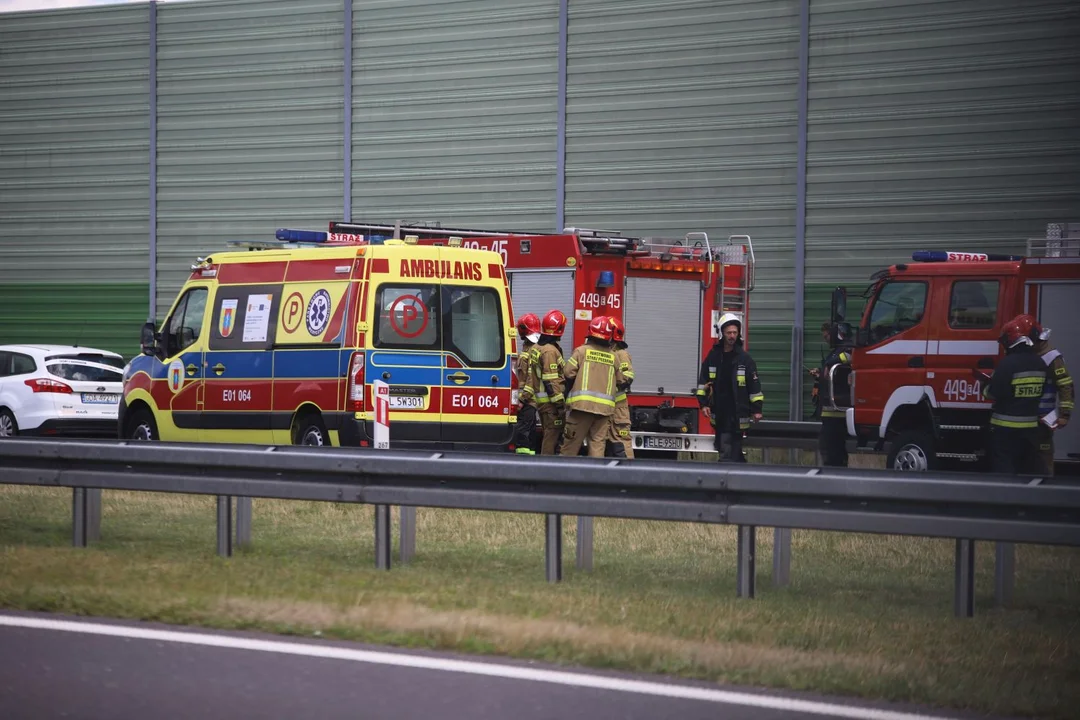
669	294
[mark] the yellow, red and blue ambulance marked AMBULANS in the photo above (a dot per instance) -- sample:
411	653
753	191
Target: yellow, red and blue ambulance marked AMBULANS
279	343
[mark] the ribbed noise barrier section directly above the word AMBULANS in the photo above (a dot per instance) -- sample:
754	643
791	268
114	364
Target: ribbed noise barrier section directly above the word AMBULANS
455	113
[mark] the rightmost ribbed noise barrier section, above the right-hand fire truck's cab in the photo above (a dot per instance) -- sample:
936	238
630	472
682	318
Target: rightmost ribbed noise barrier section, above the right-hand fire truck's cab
938	125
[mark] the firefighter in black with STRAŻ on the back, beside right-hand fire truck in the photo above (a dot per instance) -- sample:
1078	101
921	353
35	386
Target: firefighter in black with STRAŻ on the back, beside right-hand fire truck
1016	390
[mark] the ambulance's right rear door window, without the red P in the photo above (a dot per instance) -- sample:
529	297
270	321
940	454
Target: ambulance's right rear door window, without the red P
476	325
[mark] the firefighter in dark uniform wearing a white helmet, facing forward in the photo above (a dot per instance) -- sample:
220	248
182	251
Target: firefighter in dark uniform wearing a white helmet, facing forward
736	397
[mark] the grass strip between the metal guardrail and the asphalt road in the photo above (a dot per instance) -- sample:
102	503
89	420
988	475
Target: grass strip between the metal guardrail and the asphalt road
866	616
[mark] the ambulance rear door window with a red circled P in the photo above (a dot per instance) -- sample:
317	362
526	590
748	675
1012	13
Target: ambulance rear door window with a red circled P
409	318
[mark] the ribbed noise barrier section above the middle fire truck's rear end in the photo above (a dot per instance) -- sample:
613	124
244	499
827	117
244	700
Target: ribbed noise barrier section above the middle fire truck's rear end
682	117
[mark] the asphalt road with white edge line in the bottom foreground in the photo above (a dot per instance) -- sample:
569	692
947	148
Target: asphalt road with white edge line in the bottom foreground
53	667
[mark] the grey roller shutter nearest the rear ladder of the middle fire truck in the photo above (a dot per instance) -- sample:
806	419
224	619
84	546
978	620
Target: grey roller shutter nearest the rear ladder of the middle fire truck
664	329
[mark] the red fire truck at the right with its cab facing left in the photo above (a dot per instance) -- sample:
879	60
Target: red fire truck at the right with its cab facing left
927	329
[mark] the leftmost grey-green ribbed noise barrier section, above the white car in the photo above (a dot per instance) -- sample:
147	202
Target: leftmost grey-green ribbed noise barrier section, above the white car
74	146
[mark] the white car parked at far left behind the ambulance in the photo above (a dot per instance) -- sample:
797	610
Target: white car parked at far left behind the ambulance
60	390
